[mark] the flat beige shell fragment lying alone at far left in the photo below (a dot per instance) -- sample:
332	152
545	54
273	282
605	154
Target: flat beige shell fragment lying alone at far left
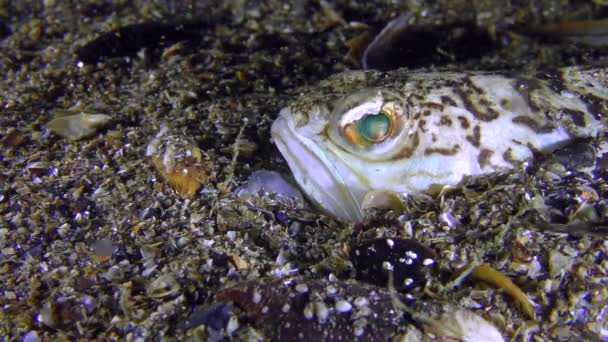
78	126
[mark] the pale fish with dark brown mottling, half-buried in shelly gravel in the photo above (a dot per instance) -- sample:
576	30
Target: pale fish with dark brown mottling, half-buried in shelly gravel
444	126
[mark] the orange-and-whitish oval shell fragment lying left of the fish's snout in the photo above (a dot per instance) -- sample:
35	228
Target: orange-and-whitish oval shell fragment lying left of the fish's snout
178	162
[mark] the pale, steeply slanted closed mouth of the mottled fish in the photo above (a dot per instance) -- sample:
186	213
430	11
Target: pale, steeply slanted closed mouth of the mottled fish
317	175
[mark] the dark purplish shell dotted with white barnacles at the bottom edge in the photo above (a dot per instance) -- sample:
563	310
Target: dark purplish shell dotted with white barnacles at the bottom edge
297	310
